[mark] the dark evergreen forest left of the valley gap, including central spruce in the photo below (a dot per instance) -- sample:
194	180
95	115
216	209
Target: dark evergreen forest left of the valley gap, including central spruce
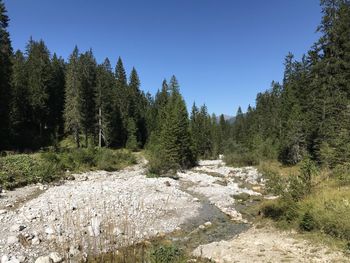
44	99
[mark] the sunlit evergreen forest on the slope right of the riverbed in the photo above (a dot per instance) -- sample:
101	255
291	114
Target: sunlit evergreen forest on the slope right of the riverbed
308	114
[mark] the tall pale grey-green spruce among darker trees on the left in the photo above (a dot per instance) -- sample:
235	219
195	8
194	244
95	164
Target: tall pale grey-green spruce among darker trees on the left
72	113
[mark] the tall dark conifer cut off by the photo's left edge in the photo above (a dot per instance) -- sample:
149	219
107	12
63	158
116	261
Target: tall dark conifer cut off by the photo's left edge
5	77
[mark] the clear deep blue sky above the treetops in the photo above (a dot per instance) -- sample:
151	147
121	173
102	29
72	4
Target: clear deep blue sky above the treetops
222	51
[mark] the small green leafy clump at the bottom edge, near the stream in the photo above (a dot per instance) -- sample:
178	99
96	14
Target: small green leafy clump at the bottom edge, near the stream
167	254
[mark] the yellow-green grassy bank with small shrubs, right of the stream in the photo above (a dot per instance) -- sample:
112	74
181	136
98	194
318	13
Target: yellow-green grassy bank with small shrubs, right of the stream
315	202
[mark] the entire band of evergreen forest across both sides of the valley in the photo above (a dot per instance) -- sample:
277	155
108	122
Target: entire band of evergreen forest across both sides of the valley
44	99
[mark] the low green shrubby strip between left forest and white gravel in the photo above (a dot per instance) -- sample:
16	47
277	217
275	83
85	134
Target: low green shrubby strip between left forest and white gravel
22	169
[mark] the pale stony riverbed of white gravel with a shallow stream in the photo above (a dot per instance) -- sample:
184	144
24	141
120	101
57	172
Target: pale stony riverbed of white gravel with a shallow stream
98	212
